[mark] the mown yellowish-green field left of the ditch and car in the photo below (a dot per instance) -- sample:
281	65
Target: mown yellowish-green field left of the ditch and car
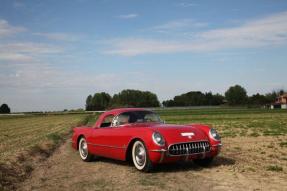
18	133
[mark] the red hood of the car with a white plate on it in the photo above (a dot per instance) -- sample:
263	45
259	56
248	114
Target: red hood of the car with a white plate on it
179	133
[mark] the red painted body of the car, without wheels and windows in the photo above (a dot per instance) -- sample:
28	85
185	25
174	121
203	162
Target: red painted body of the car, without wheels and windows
181	141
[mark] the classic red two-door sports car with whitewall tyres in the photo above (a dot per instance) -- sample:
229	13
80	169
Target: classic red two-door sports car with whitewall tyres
139	135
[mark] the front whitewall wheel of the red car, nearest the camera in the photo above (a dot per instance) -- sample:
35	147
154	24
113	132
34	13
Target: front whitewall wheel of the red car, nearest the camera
140	157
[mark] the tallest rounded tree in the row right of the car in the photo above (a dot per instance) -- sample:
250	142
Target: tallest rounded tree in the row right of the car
236	95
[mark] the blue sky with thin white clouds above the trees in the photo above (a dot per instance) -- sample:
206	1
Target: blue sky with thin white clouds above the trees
54	53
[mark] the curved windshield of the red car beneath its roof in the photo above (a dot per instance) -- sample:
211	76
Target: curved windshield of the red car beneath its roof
136	117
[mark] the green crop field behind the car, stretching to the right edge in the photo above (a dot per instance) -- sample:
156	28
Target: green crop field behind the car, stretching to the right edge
233	122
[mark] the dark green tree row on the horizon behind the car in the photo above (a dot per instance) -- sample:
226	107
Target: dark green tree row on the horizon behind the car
234	96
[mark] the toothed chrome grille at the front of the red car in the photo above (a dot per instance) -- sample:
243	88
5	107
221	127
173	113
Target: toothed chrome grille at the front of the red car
189	148
